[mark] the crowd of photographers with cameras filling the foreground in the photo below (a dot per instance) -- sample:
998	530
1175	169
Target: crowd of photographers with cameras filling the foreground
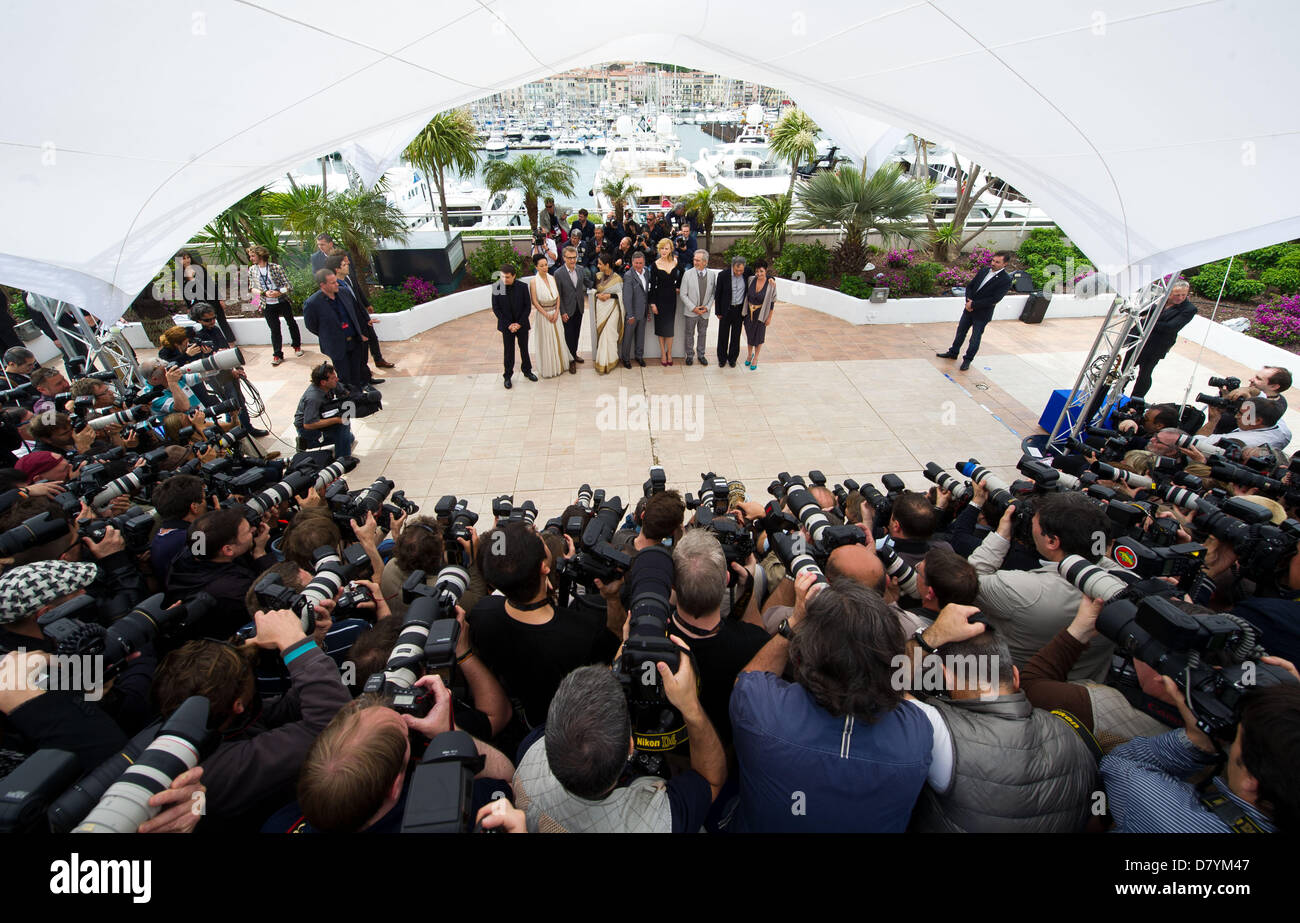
1106	643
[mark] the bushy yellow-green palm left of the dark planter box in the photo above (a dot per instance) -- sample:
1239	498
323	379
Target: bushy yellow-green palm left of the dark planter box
356	220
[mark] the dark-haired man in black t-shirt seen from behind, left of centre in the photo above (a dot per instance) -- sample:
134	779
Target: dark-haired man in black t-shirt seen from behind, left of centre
530	644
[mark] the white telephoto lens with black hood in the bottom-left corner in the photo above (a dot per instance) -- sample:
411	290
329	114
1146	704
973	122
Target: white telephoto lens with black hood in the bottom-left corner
183	743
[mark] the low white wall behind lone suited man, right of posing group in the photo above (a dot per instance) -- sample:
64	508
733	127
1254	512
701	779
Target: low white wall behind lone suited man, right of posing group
925	310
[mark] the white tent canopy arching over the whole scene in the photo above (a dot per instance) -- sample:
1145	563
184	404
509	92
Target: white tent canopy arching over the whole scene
1159	138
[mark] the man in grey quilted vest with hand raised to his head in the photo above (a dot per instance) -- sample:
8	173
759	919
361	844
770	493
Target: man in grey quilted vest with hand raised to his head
1000	765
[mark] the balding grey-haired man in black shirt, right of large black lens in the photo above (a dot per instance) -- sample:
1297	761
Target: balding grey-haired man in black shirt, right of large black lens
721	647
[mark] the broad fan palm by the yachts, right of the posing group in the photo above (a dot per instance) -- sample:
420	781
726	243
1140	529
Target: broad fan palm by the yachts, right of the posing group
886	202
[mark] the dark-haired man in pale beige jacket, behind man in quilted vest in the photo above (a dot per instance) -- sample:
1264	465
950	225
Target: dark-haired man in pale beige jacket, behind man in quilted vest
1029	608
